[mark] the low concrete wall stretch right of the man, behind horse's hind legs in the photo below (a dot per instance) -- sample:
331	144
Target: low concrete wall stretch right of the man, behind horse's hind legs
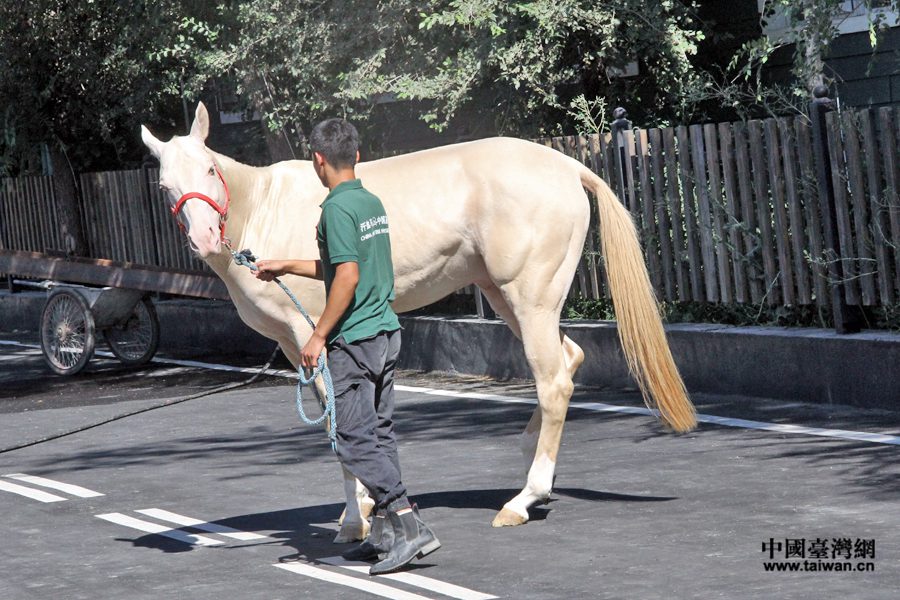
808	365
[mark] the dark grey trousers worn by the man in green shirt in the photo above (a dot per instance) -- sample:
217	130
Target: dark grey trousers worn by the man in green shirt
363	376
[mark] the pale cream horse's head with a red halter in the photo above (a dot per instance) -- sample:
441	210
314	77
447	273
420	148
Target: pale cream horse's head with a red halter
188	172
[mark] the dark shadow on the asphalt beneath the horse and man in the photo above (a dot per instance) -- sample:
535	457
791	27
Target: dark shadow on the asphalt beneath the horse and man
309	531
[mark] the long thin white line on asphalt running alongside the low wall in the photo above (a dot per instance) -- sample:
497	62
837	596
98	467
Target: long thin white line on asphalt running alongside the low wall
862	436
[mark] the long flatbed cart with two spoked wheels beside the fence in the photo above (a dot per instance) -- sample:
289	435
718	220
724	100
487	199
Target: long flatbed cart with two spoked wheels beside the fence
91	296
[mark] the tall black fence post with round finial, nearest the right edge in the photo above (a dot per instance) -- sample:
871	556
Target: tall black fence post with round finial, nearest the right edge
847	319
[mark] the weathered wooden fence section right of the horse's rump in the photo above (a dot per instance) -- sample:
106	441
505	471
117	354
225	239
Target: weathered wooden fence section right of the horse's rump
730	212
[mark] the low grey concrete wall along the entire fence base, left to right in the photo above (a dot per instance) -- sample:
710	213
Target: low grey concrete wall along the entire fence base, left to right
809	365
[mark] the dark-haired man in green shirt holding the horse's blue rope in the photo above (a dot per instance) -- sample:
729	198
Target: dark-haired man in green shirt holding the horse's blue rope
362	335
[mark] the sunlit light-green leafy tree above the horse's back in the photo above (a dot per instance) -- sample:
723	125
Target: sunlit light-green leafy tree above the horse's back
529	65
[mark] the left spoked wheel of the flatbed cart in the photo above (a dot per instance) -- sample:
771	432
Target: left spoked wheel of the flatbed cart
67	332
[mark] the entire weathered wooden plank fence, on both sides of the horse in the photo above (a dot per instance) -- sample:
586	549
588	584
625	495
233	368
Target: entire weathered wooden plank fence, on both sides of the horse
727	212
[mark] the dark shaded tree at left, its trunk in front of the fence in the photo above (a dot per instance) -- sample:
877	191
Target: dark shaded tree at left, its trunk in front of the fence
75	81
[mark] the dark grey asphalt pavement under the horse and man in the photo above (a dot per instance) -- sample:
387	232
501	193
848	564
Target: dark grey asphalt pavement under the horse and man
230	496
